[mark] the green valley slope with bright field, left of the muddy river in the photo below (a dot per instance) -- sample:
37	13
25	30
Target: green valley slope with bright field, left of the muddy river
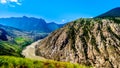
13	48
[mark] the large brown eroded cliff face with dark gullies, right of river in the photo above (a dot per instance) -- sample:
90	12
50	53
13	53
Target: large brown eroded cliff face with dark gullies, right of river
93	42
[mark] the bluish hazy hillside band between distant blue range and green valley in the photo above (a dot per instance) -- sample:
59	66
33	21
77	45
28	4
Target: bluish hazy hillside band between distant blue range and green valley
11	33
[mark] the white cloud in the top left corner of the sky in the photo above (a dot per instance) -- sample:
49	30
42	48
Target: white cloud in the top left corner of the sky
11	3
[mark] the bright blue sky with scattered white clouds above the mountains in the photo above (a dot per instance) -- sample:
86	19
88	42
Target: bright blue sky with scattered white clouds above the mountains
59	11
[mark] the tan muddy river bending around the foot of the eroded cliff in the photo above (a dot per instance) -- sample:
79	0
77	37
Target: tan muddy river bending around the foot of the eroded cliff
29	51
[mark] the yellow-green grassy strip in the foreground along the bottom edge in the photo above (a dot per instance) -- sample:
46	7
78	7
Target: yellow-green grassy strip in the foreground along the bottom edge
15	62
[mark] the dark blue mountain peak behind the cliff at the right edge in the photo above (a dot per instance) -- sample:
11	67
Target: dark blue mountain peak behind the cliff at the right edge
115	12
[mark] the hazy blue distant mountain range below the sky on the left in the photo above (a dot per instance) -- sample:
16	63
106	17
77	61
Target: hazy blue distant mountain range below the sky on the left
30	24
